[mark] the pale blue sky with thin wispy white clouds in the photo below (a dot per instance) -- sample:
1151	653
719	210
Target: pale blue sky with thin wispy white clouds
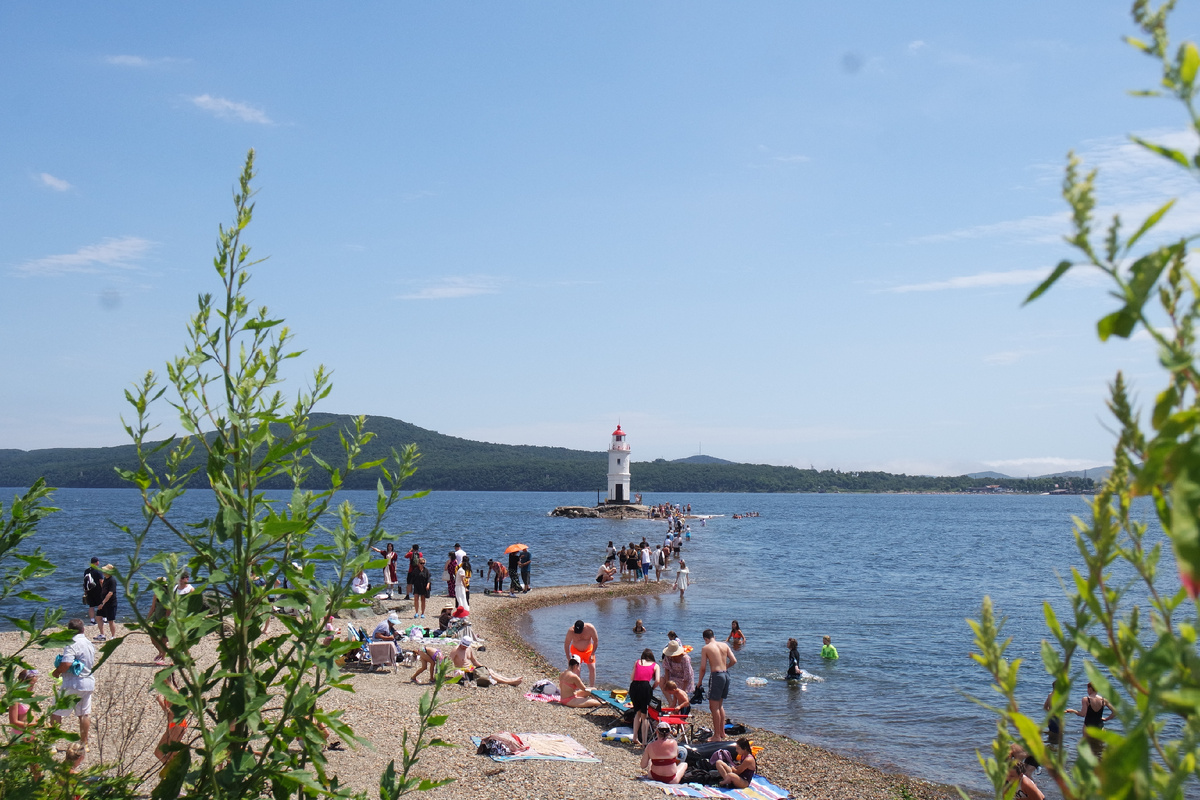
785	233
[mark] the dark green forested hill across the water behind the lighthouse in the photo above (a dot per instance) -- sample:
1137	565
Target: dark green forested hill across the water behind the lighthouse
451	464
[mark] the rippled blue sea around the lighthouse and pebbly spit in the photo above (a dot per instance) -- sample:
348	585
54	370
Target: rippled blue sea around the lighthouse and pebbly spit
892	579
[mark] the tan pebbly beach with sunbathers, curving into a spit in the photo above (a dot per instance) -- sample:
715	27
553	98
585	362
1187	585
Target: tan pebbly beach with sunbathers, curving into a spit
128	723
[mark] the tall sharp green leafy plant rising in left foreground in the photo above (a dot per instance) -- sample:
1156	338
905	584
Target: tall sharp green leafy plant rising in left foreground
268	572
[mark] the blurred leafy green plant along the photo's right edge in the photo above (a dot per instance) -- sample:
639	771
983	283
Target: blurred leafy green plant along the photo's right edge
1136	640
